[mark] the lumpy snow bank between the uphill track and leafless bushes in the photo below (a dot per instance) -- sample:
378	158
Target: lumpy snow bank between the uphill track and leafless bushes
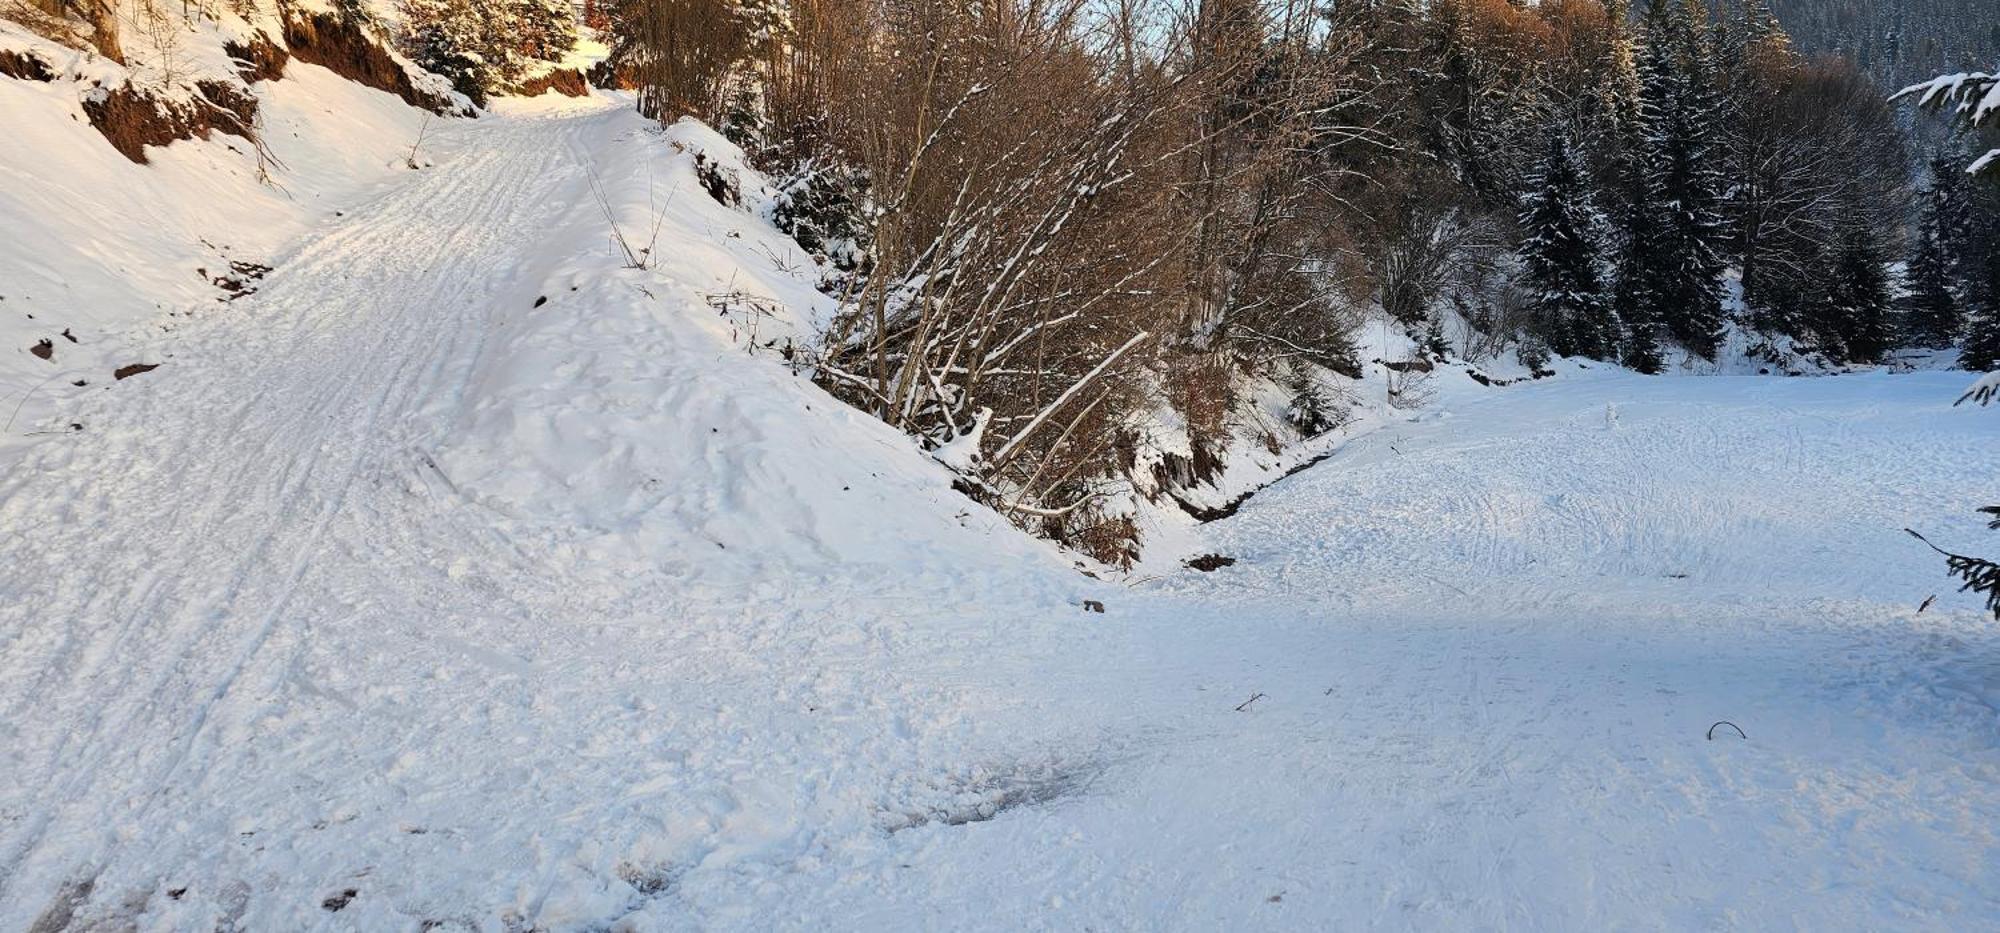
641	407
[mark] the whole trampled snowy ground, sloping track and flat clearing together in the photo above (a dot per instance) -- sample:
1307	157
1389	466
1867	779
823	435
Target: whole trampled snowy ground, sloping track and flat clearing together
401	600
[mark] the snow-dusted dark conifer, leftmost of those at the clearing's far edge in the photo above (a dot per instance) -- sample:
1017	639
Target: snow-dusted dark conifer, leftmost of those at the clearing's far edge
1563	253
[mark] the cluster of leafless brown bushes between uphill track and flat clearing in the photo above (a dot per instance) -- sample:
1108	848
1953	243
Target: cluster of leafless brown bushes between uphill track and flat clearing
1069	209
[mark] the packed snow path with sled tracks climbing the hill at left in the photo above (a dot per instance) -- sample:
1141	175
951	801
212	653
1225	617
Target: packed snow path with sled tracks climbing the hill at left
155	564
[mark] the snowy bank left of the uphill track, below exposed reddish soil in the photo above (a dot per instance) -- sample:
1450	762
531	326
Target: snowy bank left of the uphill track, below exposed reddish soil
107	249
